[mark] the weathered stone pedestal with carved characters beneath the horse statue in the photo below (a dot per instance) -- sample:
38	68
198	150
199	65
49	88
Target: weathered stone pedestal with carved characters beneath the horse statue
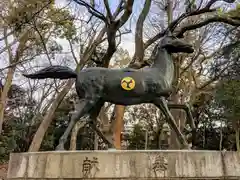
125	165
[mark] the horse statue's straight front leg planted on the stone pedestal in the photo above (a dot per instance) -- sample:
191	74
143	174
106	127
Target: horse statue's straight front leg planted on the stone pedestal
163	106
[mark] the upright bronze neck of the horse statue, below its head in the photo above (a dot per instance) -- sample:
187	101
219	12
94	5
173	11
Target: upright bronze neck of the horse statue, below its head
164	65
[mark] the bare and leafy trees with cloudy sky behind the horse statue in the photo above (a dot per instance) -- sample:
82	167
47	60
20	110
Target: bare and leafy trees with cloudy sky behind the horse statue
115	34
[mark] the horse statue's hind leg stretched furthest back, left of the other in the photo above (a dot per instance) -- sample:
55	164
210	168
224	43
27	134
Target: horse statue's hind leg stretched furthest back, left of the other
84	107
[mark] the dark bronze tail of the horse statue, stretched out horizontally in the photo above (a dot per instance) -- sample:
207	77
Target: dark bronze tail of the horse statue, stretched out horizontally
53	72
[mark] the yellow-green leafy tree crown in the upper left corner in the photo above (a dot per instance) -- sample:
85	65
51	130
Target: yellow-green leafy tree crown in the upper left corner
39	22
